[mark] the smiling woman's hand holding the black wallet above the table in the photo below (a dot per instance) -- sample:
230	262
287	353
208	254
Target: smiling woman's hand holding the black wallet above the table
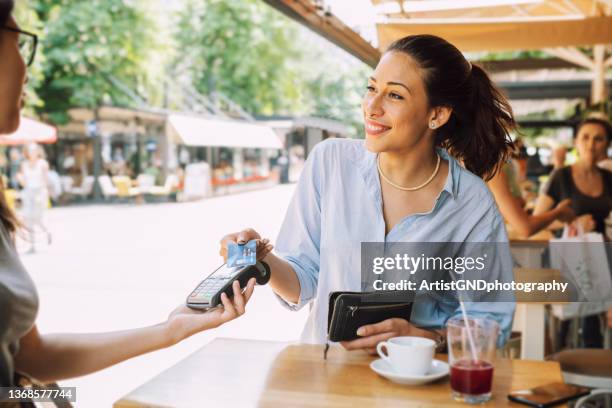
372	334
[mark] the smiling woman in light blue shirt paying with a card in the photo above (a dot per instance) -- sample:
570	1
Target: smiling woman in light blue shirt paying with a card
427	111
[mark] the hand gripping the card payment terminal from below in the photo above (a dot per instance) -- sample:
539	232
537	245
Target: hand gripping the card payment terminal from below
184	322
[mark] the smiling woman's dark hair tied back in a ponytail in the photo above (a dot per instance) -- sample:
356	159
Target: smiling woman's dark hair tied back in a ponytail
478	130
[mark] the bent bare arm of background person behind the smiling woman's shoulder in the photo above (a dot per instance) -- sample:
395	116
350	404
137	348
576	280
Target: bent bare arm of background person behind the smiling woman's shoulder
523	223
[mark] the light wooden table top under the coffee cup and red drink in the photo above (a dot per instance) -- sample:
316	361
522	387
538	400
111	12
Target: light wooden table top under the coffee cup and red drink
251	373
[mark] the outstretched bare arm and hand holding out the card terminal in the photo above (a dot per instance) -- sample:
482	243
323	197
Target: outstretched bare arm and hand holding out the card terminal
54	357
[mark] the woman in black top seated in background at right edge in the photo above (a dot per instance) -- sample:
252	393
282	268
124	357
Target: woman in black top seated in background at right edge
590	189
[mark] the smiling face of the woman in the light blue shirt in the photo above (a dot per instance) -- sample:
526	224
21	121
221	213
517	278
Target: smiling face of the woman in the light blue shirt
395	106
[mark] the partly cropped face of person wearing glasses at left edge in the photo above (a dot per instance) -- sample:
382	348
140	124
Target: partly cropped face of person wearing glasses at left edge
12	79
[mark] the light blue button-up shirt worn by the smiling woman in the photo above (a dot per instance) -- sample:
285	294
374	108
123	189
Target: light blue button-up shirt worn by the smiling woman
338	204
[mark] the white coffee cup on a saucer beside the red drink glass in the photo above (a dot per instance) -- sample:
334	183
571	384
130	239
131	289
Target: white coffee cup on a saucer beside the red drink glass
408	355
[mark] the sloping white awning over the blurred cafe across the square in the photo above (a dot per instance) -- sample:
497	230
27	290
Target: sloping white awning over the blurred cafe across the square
198	131
